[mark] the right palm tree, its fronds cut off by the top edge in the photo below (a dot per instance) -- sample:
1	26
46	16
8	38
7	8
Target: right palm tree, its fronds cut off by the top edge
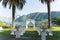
48	7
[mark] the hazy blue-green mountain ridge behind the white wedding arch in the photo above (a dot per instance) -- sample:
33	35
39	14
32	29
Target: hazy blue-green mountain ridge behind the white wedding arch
37	16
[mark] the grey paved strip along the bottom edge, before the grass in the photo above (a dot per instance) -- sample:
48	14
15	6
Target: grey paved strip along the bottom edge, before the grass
2	37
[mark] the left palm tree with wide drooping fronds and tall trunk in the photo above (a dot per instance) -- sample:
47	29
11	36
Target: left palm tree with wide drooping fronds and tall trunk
14	4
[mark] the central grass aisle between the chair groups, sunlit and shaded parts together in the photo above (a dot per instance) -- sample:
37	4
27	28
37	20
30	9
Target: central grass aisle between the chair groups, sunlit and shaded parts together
31	32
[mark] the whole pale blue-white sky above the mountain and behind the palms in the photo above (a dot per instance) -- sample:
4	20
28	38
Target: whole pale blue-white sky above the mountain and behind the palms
30	7
